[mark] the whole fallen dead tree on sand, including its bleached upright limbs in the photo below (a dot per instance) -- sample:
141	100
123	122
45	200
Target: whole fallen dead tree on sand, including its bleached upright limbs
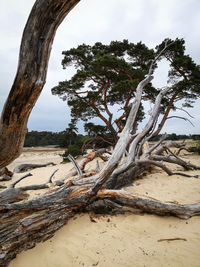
24	223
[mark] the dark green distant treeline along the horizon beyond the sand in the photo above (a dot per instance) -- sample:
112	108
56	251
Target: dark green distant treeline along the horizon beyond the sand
67	138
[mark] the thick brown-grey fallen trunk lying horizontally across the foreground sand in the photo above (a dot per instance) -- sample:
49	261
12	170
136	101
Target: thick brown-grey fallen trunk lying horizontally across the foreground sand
23	225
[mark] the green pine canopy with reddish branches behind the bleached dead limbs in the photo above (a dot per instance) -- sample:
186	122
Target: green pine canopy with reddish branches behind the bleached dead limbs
107	76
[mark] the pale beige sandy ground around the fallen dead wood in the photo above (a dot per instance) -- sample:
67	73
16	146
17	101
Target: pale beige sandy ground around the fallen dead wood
119	240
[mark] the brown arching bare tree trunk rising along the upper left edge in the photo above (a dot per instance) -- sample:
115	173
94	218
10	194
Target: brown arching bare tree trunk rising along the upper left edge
38	36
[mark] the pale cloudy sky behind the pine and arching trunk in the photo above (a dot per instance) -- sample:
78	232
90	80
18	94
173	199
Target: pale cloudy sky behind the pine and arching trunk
149	21
